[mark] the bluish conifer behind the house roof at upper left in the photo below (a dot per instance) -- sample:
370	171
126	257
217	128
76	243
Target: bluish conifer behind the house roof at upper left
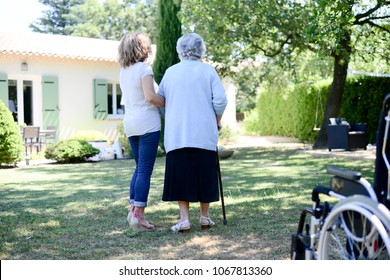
57	19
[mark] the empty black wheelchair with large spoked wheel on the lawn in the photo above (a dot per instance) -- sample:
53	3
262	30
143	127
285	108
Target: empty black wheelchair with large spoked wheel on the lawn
352	221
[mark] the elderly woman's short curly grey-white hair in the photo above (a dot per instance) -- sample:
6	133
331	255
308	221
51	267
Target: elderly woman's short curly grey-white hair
191	47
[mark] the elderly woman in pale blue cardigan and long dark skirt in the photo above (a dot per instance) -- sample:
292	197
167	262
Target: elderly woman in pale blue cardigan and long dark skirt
194	103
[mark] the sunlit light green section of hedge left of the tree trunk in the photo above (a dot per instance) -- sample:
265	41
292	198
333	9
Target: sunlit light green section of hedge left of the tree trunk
288	112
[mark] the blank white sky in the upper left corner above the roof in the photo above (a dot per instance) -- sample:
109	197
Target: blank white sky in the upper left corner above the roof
16	15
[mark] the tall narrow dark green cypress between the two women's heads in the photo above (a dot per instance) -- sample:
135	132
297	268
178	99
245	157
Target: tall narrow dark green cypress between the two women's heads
169	31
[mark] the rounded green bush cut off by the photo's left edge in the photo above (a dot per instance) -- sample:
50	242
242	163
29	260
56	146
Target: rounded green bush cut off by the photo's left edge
11	143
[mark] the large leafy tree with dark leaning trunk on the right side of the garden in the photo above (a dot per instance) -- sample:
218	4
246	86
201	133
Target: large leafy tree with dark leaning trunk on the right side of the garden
242	29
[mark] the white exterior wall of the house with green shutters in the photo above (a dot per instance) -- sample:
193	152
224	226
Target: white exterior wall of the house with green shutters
75	85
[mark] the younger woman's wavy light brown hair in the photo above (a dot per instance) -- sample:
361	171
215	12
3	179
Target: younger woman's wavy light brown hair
134	47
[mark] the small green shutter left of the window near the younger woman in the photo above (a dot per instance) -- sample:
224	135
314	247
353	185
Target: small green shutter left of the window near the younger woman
100	99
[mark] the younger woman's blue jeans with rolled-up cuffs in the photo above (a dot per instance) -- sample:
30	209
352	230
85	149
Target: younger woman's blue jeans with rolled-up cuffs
144	148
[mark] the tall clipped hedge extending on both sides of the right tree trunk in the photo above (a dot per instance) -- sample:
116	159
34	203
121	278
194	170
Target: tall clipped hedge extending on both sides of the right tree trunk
292	112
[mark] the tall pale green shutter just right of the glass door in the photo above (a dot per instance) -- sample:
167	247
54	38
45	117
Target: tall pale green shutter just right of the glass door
50	101
